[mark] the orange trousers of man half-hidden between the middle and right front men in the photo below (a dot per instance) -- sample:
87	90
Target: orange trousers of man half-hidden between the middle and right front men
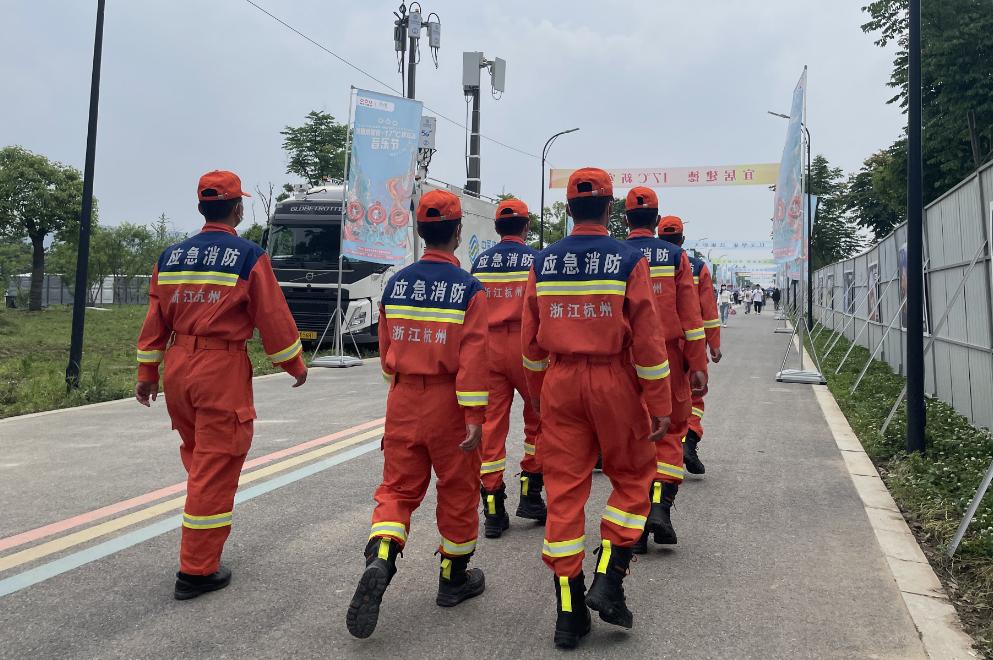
506	377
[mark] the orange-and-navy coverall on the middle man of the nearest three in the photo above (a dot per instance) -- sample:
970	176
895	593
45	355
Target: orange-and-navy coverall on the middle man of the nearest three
432	347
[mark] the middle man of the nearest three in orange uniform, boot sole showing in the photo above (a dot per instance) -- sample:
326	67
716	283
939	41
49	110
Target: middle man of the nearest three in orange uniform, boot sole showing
432	347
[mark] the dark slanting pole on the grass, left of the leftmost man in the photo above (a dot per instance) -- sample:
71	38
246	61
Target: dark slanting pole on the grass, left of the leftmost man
83	253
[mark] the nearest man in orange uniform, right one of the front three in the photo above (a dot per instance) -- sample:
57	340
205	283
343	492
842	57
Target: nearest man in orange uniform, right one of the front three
597	364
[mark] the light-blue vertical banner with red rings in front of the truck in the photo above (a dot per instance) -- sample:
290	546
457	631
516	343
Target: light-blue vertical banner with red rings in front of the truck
382	162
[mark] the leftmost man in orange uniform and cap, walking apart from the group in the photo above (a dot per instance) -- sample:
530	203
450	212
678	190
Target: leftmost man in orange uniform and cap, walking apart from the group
206	297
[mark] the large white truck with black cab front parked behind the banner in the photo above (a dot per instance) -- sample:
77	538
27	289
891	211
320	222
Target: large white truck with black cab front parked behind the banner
303	239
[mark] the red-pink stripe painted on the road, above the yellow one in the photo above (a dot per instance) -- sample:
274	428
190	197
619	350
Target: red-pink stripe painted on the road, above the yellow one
104	512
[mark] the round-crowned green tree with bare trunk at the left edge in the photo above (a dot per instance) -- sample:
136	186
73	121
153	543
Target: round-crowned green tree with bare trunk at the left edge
38	198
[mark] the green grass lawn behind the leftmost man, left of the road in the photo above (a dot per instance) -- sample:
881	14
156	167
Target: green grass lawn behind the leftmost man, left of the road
34	350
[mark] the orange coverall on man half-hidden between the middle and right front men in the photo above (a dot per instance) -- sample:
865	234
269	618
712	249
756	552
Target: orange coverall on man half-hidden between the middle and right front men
503	271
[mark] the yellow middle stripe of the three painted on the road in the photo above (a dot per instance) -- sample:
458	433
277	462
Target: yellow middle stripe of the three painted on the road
90	533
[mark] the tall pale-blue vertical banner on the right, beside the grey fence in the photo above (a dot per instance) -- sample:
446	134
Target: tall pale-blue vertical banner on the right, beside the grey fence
788	216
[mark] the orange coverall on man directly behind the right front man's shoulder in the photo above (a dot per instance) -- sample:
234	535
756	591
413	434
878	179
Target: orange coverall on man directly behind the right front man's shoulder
677	304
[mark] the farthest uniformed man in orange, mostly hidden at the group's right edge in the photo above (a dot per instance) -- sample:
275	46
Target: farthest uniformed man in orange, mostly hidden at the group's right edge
672	230
